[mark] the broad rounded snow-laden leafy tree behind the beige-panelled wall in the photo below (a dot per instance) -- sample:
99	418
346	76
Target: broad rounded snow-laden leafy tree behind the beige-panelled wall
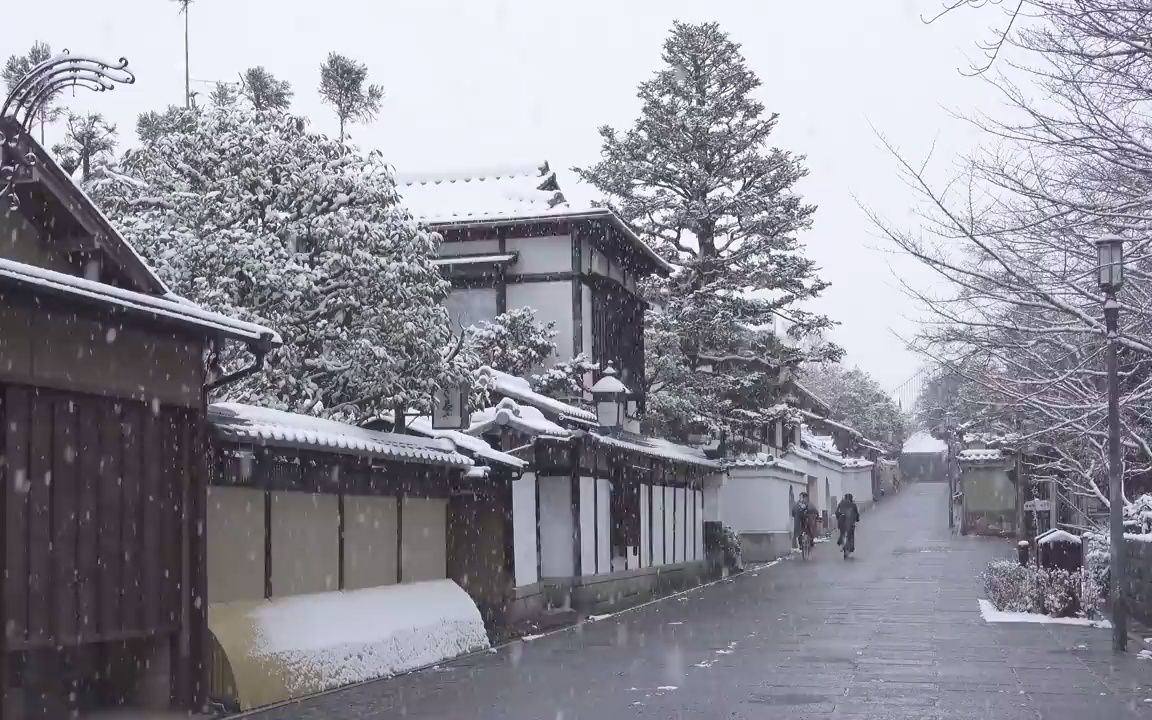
255	216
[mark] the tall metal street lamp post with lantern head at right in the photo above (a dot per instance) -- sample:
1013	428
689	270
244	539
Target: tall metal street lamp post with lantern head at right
1111	256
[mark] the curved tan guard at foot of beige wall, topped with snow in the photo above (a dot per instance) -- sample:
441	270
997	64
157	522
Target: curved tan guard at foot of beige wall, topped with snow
287	648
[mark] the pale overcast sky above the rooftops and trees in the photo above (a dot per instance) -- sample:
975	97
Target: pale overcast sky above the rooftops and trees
491	82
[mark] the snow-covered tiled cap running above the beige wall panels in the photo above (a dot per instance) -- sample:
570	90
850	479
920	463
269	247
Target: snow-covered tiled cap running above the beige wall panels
251	425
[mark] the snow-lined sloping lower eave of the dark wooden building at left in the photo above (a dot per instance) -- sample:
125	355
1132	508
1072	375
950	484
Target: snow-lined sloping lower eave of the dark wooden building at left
81	290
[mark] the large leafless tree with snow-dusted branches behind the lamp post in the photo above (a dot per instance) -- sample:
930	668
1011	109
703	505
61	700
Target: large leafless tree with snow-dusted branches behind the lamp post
1013	237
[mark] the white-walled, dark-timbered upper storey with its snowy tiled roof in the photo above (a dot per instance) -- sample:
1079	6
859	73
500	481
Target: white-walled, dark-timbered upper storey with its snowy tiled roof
512	239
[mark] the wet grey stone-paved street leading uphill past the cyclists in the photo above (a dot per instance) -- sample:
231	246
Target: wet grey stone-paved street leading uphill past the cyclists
895	634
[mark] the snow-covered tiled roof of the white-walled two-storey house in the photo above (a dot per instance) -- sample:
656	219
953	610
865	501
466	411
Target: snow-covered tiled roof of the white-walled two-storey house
503	194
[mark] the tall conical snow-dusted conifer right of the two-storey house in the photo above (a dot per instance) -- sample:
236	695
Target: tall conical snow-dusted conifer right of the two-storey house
698	177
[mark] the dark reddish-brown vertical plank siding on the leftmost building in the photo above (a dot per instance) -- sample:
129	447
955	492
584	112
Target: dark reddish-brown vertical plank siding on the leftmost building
94	518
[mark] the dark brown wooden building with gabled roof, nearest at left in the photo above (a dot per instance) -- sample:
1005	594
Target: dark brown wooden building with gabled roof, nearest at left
103	403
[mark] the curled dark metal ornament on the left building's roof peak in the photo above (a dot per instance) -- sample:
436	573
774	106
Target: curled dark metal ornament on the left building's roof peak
29	96
